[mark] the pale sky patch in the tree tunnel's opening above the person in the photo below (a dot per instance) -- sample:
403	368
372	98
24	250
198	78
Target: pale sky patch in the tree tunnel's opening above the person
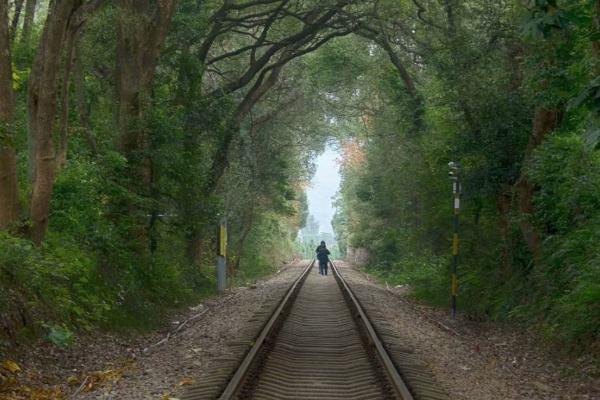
323	187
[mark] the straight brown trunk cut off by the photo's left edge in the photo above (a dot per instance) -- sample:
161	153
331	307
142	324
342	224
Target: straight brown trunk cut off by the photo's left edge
9	194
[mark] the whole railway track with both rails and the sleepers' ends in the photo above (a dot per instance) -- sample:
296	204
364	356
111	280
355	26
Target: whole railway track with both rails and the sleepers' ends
317	344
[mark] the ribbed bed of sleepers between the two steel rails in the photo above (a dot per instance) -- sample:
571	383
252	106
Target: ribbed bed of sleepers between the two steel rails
319	352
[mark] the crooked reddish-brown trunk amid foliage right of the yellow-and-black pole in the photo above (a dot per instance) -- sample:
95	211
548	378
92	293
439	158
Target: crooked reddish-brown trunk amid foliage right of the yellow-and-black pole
544	122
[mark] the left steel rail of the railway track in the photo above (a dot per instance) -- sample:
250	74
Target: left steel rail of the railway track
238	378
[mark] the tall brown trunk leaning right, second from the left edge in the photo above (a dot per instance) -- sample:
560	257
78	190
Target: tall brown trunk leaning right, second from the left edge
42	94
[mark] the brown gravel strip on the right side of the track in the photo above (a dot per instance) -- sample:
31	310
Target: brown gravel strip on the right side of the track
473	360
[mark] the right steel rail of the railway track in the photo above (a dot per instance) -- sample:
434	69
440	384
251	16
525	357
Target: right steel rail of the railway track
392	373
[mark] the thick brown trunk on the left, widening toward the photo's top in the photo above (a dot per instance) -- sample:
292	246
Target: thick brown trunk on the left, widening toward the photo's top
142	29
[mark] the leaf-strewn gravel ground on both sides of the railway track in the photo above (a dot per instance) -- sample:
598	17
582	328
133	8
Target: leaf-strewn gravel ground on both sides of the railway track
471	360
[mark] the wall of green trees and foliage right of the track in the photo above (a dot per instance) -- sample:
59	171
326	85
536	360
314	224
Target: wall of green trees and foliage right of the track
479	102
